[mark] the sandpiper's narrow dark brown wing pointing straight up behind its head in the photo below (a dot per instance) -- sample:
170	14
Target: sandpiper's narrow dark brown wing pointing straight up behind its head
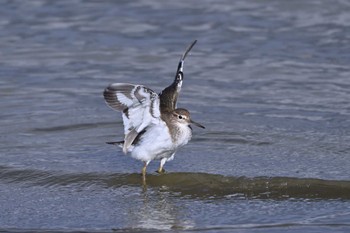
168	97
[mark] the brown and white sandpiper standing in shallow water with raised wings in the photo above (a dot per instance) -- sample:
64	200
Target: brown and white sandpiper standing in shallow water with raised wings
154	128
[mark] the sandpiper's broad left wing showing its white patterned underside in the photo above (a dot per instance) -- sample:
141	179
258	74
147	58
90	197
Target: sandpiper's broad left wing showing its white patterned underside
139	106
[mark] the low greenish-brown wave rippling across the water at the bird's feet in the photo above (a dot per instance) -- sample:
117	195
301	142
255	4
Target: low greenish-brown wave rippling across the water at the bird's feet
187	184
